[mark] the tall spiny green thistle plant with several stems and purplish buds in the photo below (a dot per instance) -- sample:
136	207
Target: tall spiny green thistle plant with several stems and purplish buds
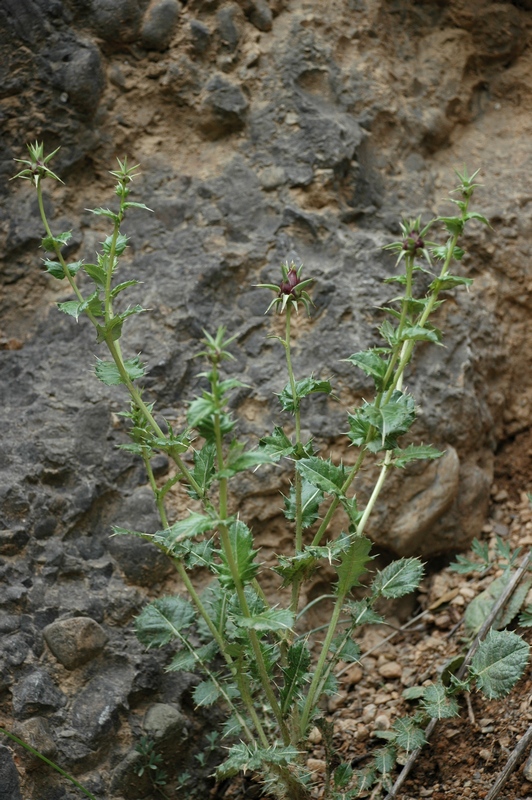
256	656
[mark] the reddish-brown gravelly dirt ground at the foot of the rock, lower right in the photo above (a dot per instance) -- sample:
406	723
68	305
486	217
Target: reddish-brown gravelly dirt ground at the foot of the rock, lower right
467	753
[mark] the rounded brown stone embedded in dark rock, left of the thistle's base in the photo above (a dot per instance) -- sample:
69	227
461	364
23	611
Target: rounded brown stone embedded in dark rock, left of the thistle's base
75	641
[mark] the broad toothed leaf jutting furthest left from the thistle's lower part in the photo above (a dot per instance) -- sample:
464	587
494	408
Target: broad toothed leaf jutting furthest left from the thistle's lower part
163	620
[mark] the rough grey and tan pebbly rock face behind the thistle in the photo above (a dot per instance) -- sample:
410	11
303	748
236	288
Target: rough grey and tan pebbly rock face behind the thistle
265	132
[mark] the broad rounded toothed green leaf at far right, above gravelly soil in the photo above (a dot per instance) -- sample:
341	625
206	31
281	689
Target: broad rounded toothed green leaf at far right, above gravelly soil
499	663
